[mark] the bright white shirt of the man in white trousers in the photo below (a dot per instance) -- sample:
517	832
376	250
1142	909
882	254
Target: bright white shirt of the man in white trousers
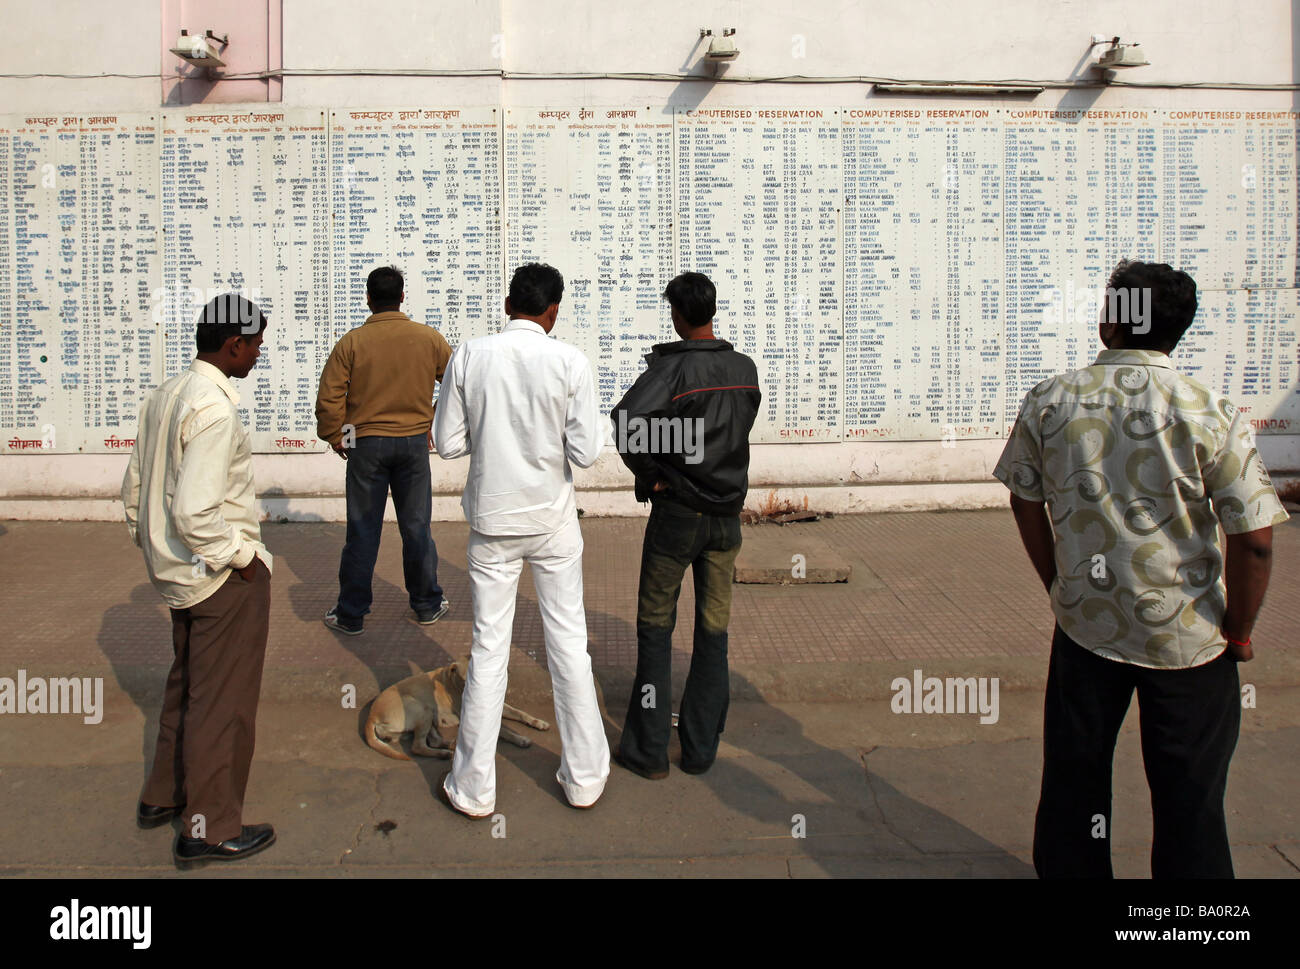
523	408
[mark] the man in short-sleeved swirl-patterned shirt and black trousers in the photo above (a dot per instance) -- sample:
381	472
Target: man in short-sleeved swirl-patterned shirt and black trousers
1121	475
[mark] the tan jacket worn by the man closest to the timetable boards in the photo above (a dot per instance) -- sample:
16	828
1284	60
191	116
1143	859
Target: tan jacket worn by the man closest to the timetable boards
380	379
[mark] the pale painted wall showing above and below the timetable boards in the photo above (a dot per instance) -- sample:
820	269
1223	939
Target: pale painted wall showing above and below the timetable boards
1199	41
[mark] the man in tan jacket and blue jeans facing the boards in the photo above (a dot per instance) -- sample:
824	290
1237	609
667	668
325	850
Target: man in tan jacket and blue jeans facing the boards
375	409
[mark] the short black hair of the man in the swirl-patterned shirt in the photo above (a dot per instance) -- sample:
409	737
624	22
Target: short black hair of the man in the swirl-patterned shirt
1152	302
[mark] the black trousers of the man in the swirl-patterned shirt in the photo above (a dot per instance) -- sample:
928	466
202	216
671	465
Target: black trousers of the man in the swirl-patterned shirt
1190	723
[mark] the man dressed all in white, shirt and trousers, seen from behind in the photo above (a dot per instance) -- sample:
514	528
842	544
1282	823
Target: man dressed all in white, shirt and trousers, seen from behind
525	409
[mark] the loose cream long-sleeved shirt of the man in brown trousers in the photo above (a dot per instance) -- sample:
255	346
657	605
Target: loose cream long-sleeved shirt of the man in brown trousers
189	494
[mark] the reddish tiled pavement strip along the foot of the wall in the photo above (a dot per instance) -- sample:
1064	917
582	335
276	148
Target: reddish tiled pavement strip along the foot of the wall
948	586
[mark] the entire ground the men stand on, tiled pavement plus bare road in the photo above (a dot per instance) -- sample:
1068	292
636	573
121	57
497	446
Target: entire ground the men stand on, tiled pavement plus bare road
817	776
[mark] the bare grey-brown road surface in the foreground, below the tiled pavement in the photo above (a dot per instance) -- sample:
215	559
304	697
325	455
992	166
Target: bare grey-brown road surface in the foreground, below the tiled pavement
800	790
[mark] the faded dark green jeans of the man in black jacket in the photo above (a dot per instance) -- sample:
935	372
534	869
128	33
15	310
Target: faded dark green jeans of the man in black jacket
679	538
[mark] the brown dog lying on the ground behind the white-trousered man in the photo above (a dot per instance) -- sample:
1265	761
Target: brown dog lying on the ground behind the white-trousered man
426	702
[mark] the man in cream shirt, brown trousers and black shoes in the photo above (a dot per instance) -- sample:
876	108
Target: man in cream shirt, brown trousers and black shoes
190	507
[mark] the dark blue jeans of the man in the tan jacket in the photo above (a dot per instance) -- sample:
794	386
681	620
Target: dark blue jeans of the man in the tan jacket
374	466
